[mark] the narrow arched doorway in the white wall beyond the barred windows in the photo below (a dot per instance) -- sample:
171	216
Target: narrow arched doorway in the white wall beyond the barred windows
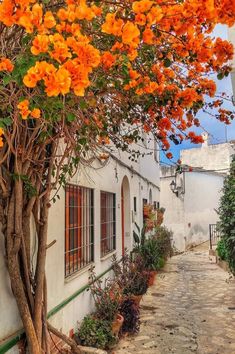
125	214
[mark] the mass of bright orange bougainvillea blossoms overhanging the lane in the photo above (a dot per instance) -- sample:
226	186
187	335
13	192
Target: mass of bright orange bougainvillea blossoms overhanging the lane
160	50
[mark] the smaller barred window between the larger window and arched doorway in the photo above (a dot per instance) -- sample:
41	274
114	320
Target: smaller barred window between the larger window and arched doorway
107	222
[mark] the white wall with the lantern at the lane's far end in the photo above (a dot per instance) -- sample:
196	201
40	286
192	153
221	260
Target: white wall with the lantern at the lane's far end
190	214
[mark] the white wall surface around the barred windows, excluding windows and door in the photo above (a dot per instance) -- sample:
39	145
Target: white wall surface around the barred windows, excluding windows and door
108	178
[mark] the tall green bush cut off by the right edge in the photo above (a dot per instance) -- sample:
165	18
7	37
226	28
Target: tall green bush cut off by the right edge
227	217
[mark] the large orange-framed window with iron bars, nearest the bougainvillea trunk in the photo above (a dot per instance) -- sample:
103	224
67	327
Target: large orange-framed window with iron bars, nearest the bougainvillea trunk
79	228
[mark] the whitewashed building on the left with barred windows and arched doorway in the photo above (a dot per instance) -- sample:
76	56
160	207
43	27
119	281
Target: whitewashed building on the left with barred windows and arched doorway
93	220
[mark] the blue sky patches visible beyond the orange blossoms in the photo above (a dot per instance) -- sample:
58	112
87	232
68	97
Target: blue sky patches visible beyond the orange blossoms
216	129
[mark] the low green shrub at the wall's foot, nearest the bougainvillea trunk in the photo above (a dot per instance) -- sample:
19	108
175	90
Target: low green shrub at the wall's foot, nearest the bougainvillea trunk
96	333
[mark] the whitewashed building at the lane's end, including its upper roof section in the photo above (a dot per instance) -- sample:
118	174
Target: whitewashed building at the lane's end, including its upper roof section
191	198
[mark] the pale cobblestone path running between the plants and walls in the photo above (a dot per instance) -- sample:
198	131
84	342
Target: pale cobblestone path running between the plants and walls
190	309
